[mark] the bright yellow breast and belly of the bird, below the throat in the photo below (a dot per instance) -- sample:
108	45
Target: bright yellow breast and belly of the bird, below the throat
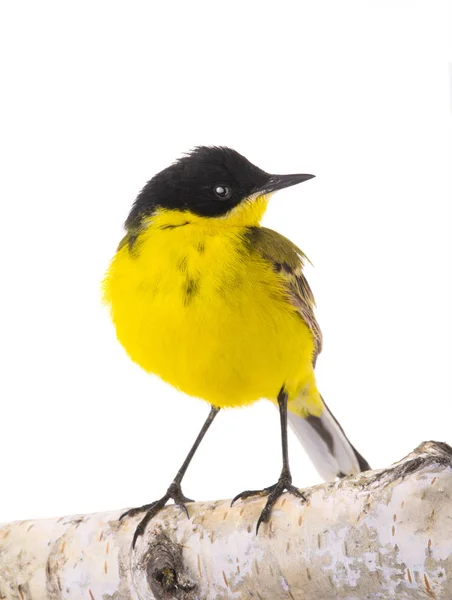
195	307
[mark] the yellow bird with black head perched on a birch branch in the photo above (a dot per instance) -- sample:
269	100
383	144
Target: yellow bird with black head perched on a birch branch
217	305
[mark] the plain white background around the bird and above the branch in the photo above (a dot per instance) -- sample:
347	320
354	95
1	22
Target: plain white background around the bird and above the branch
97	97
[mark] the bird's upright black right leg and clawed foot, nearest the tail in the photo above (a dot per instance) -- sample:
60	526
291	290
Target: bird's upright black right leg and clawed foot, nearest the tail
285	479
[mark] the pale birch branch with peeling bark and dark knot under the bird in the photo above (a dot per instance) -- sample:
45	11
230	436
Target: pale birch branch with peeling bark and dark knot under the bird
382	534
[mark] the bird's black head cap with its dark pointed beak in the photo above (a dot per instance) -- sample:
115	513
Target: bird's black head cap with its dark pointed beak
209	181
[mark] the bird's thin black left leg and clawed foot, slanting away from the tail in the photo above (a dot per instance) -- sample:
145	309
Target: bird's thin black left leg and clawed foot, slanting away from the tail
174	492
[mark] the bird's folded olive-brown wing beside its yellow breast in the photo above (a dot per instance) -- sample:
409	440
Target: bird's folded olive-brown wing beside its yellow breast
288	260
